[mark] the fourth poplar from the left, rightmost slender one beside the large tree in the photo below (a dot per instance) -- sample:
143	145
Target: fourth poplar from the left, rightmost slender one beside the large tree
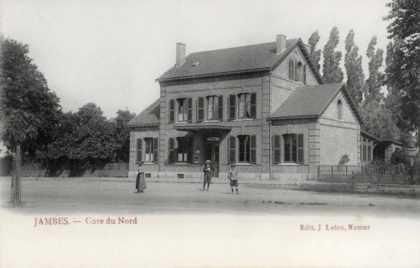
376	78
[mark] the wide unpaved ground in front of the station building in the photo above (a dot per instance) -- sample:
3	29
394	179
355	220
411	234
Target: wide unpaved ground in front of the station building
100	196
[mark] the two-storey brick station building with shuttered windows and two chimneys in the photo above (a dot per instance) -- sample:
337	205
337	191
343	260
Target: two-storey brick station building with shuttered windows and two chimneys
263	107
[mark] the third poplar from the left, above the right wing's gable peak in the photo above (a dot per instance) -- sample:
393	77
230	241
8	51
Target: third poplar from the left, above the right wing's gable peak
354	70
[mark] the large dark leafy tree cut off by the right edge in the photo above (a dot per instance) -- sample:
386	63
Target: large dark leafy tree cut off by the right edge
404	70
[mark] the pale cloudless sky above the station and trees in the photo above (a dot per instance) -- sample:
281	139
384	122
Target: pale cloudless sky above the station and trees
110	52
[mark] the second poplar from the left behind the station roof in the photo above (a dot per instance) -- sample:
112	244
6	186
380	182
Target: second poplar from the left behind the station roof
331	70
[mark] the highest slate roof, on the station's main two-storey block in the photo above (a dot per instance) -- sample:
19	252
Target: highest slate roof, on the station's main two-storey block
252	58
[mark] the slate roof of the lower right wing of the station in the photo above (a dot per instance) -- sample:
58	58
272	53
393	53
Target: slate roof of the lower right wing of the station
311	102
